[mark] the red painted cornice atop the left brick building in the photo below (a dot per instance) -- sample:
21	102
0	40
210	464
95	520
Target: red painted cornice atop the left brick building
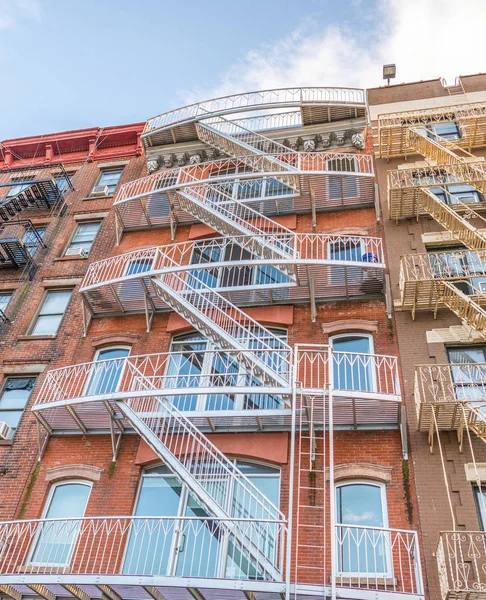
69	147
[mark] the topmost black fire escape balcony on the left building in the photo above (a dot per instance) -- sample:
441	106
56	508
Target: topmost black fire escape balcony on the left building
32	188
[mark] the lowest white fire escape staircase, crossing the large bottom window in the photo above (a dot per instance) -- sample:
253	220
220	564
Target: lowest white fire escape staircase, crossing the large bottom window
223	490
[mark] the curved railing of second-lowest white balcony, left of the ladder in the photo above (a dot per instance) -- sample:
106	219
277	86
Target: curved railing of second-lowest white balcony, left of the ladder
182	375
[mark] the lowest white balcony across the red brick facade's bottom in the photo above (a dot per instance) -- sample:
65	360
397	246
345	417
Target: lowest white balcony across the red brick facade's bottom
161	557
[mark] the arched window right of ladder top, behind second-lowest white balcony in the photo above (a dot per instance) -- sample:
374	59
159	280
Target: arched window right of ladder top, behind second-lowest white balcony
354	366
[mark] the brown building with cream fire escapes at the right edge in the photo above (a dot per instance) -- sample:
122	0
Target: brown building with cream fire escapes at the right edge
429	145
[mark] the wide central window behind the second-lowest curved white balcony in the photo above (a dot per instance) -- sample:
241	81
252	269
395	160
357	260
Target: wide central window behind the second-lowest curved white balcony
194	362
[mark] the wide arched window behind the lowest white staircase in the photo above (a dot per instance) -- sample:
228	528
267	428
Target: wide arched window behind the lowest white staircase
173	547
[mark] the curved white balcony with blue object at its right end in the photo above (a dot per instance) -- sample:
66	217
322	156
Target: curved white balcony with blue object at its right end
315	267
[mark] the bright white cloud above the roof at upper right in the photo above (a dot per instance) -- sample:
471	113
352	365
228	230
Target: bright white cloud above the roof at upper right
425	38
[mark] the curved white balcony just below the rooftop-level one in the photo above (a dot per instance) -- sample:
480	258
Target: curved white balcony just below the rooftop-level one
313	182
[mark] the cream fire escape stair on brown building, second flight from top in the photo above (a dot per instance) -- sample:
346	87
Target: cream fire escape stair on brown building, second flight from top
456	224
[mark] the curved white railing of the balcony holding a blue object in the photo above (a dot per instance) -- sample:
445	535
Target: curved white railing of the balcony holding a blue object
311	248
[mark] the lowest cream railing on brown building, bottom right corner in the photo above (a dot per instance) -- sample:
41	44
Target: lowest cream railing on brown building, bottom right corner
461	560
